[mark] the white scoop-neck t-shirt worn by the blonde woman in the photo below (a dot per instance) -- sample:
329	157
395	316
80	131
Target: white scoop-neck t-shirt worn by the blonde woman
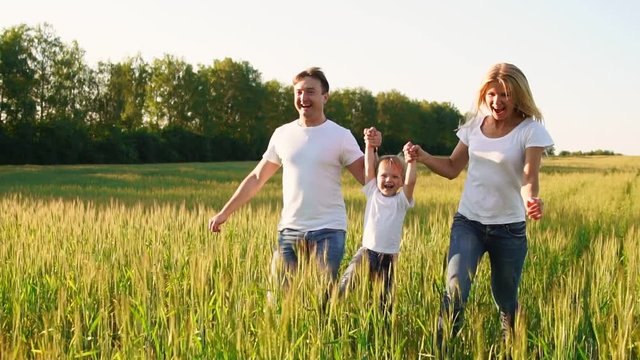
491	192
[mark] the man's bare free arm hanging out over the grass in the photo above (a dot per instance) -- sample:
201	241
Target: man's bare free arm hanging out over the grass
245	191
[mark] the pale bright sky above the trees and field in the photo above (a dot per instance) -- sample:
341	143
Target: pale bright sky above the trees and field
581	57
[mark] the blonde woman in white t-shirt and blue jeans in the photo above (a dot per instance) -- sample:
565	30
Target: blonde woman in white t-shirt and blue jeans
502	143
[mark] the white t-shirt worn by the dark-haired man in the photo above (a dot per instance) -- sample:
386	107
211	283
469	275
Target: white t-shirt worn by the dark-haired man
312	159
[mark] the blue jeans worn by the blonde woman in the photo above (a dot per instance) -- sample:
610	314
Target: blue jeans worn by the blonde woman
507	248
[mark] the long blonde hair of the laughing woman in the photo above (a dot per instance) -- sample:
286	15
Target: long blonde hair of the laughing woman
516	86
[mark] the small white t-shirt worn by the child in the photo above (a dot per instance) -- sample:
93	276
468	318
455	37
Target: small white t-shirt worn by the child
383	218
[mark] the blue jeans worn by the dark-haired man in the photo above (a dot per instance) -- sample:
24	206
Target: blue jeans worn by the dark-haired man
325	245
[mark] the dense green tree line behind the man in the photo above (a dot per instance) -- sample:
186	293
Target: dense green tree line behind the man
56	109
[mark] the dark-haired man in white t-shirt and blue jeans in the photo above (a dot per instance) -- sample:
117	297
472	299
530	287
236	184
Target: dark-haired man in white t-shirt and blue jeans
312	151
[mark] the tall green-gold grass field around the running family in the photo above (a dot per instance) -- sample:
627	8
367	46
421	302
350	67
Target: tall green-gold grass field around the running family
116	262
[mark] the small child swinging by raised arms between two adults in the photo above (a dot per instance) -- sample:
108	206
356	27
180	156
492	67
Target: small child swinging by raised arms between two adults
389	195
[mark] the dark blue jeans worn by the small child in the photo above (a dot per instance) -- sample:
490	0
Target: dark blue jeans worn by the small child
381	267
